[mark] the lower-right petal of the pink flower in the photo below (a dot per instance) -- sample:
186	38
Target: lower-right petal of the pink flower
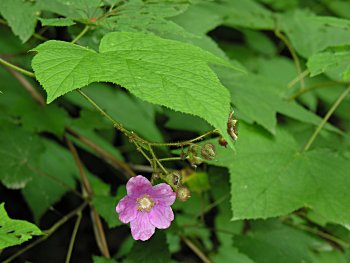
161	216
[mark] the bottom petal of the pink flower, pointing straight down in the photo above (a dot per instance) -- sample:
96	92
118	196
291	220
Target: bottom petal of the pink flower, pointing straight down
141	227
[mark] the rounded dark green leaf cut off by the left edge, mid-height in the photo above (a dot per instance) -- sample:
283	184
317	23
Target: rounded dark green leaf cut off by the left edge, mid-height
19	154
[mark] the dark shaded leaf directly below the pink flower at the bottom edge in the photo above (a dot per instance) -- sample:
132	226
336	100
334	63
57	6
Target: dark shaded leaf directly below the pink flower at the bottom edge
154	250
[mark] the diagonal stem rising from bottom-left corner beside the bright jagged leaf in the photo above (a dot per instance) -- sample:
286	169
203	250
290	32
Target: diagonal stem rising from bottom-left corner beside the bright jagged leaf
49	232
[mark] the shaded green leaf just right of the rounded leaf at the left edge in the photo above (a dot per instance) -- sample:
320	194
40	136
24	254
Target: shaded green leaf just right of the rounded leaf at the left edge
54	176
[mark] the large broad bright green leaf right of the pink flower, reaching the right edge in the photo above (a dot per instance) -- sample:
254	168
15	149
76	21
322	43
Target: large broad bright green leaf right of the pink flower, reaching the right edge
270	177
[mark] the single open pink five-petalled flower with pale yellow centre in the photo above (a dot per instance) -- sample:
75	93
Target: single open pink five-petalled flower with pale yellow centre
146	207
